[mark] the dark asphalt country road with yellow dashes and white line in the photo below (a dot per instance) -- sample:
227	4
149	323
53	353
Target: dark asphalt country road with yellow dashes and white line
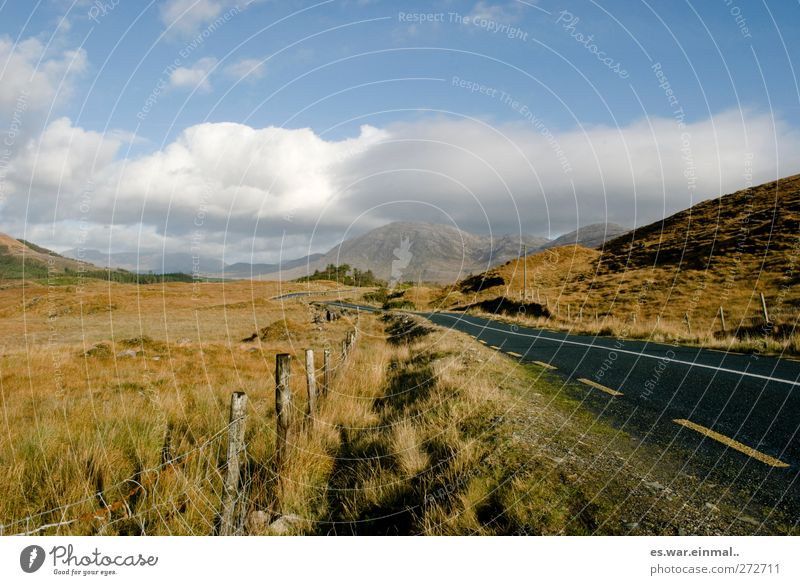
735	416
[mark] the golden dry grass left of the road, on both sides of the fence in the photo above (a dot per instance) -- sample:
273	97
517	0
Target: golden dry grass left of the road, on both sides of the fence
423	432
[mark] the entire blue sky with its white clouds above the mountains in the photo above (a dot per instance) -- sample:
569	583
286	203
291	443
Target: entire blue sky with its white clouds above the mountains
259	130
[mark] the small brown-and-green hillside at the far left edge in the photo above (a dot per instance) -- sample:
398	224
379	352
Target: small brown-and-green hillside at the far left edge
19	258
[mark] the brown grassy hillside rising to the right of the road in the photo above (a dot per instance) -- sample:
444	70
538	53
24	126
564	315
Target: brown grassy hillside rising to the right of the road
722	252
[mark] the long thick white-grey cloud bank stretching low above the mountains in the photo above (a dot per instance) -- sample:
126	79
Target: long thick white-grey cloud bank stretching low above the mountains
261	193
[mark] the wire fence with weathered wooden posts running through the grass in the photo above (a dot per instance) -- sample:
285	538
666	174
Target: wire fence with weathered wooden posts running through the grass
146	498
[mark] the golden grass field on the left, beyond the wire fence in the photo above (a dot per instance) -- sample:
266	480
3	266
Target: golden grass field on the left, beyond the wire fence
89	397
